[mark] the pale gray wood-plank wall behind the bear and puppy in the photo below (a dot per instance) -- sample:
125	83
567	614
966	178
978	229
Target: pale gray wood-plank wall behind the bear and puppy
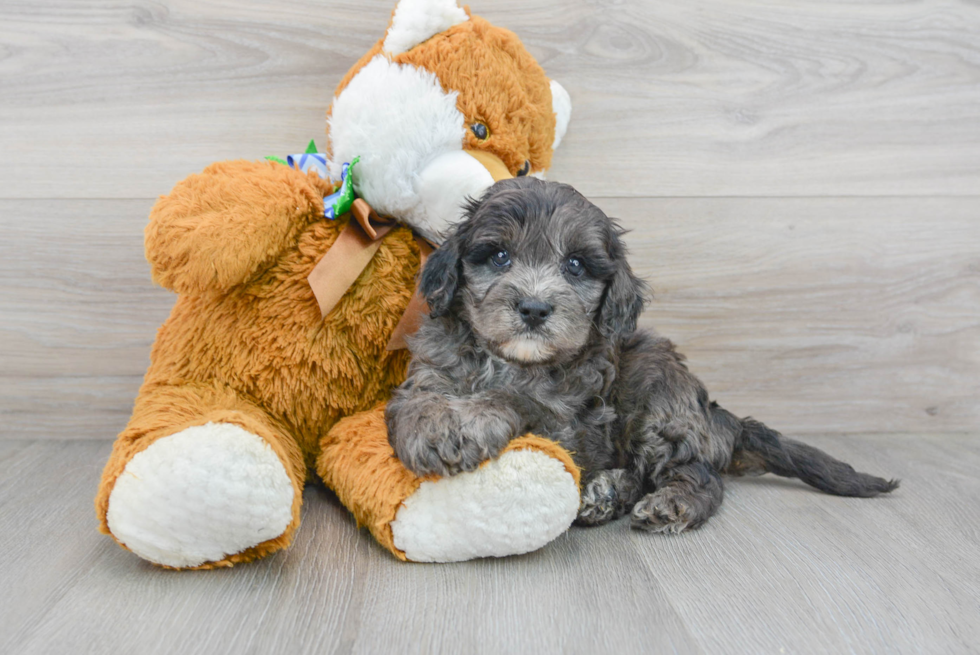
802	181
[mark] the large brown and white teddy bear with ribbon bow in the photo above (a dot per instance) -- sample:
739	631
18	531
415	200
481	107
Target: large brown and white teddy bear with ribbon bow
284	342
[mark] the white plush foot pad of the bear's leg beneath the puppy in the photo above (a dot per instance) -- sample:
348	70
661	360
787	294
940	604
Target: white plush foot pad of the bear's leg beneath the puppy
512	505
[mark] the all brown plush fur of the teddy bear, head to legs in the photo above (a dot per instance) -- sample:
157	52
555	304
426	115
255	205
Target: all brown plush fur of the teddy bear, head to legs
246	344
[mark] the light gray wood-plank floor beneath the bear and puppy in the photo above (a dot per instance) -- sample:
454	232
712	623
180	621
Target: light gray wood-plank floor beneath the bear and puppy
780	569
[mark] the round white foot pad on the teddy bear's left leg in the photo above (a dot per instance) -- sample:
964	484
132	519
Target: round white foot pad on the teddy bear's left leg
200	495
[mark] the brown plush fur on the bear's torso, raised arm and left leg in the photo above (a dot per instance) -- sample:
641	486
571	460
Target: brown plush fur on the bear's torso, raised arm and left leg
245	343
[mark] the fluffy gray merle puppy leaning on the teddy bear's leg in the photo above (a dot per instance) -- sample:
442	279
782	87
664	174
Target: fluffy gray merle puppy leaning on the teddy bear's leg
533	329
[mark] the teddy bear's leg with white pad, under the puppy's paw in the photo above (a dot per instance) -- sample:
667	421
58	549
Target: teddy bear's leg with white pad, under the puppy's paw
513	504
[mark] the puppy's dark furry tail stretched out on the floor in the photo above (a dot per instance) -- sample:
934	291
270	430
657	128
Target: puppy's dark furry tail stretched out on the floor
757	449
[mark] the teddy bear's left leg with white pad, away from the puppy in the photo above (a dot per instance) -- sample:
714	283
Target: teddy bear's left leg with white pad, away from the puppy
201	478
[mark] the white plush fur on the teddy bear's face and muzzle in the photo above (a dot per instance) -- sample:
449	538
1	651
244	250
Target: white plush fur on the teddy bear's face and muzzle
399	120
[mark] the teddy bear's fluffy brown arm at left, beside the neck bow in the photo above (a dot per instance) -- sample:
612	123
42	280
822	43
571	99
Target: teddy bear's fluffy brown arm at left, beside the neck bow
219	228
